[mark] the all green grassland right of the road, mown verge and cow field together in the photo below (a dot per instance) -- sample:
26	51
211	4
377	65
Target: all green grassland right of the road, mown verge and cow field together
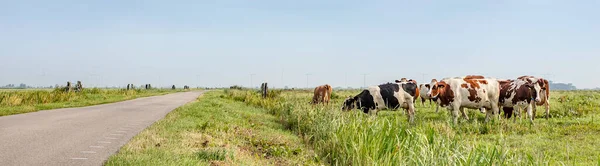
333	137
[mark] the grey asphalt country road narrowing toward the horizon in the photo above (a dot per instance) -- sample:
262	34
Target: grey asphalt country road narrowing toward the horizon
80	136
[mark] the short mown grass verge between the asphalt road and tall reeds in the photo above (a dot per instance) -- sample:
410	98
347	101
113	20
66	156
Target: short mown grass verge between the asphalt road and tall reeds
216	131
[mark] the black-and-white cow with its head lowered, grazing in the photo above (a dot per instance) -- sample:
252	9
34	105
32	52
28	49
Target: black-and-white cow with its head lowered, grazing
390	95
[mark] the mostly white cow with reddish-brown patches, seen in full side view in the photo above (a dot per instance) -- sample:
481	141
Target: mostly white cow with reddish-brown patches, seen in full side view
466	92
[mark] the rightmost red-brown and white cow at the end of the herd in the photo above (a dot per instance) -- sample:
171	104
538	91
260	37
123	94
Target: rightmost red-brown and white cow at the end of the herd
518	94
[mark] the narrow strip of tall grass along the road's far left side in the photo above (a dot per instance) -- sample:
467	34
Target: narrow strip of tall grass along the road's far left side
24	101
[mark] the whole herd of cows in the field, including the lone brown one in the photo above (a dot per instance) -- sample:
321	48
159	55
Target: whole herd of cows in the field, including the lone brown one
474	92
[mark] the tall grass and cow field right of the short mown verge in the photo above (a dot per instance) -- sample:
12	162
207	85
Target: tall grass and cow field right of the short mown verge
569	137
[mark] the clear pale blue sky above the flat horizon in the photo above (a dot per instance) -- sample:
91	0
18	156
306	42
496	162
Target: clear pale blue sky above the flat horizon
220	43
